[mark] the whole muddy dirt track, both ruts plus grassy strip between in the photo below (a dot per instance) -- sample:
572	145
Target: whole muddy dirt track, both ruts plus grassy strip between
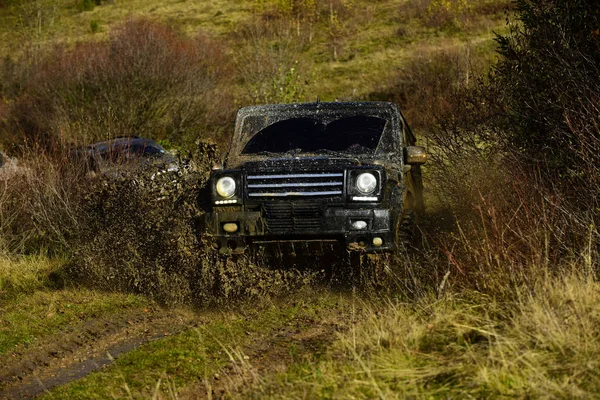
237	348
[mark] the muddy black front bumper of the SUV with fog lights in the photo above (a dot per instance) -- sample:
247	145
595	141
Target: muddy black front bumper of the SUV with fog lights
253	227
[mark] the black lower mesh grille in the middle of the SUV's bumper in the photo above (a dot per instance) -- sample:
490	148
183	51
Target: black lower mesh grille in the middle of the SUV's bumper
287	217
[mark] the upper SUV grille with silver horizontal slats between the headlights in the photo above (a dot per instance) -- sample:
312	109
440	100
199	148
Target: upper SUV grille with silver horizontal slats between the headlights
279	185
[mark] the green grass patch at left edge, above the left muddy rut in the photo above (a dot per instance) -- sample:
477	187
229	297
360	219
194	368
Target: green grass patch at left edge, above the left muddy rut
32	308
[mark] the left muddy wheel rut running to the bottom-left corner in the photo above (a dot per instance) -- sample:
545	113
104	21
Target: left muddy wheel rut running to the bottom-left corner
84	349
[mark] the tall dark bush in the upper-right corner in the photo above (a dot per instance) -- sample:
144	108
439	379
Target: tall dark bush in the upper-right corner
548	83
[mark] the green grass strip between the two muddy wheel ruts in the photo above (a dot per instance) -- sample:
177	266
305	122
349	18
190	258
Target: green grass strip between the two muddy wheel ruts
195	355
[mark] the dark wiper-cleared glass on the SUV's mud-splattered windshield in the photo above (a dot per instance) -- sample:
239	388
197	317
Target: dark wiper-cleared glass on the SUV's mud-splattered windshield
356	134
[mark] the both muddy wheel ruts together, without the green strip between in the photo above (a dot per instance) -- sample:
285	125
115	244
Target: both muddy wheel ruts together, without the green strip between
95	345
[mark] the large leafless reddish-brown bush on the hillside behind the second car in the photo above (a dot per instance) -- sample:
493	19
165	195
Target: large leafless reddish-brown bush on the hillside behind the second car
146	80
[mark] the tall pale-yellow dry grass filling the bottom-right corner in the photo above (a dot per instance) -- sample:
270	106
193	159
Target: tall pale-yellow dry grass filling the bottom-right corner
543	345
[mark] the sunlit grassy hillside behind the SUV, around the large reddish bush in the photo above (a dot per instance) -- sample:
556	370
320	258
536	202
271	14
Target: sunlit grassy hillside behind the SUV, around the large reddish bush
280	51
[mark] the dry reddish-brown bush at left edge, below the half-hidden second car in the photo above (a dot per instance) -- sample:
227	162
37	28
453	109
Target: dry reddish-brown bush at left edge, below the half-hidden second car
39	204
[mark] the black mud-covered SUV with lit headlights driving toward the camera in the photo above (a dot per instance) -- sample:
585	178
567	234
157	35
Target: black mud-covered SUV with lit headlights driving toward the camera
345	172
